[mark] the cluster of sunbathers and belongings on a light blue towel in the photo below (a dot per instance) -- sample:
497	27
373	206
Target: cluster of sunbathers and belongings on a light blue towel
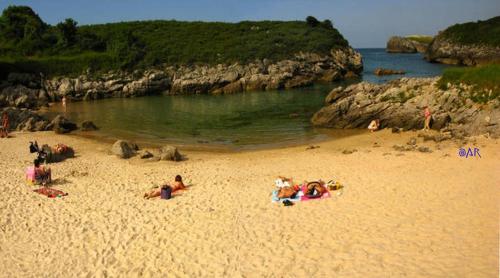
287	192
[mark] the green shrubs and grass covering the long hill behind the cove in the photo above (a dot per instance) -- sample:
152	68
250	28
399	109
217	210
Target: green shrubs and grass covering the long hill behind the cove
27	43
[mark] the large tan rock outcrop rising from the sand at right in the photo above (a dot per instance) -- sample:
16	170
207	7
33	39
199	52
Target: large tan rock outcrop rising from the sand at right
400	104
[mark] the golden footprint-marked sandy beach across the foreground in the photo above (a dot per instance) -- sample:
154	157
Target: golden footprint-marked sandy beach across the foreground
401	214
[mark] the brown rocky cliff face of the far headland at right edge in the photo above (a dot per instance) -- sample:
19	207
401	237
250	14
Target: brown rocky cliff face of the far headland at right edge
445	51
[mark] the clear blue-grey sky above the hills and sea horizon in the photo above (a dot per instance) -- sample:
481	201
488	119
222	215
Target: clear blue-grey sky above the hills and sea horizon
364	23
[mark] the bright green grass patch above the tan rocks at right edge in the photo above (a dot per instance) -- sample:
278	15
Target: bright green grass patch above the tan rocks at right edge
486	80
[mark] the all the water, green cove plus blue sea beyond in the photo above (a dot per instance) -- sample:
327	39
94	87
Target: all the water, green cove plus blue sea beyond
241	121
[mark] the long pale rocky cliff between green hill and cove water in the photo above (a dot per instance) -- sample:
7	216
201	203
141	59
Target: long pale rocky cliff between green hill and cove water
30	91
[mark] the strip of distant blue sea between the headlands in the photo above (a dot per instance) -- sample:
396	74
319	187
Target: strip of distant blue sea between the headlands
413	64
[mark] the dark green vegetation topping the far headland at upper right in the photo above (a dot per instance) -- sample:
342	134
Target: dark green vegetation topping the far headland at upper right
482	32
